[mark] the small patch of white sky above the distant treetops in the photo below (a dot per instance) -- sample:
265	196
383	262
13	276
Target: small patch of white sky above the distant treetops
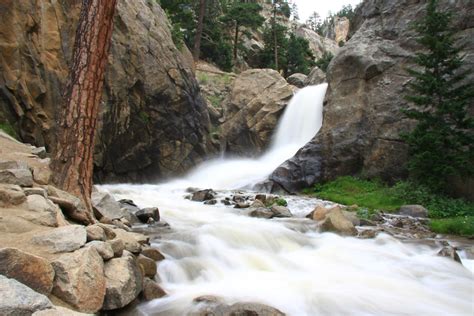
307	7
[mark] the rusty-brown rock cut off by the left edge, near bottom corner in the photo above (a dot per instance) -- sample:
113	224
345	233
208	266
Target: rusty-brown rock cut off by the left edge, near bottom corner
33	271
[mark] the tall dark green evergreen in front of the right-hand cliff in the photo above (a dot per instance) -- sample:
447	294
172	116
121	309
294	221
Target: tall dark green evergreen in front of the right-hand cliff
442	143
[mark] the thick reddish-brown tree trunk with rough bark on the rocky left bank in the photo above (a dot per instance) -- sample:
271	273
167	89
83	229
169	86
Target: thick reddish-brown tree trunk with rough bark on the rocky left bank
72	163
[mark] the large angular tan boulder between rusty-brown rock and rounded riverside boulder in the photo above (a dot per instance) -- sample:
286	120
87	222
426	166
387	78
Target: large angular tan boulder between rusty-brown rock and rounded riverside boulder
80	279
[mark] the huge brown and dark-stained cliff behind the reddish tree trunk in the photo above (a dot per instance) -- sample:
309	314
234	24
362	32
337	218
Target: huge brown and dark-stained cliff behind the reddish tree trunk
154	121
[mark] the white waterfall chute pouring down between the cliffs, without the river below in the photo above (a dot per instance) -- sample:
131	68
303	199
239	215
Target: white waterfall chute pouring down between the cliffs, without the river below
300	121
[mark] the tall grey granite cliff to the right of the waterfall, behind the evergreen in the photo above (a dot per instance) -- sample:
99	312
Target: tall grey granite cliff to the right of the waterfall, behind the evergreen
367	82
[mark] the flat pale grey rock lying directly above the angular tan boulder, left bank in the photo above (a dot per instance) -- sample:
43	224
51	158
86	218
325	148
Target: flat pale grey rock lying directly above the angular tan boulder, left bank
62	239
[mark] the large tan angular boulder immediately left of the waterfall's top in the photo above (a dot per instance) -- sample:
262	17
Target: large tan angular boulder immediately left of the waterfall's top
252	110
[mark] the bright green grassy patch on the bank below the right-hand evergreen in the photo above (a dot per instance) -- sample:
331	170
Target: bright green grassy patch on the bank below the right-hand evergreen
448	215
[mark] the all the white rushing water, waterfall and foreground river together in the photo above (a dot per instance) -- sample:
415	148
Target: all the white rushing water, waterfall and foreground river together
218	250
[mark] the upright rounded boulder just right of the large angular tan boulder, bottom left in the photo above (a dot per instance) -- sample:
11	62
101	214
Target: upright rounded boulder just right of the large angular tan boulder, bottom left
123	281
